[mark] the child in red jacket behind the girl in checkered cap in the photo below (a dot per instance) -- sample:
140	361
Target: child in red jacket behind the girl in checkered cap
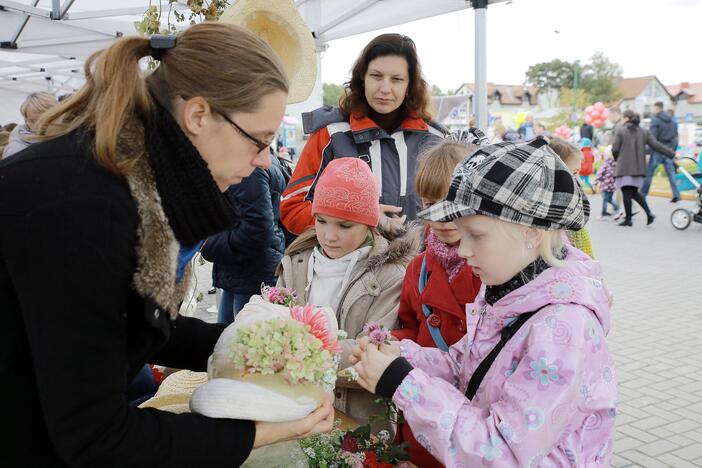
439	282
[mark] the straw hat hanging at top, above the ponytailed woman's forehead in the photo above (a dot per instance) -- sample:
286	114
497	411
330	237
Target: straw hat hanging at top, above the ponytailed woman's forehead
279	24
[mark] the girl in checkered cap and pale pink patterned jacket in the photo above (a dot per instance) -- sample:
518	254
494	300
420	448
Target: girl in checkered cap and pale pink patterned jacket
532	383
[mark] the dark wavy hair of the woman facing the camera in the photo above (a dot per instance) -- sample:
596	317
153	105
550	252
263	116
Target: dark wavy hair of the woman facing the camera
417	101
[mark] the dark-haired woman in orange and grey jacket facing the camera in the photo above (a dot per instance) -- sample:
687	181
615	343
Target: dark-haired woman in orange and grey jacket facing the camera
383	118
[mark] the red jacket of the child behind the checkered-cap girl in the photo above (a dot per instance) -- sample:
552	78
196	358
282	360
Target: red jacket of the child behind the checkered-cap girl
448	302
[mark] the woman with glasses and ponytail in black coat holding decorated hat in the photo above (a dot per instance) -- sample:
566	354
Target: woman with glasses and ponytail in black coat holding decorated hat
99	224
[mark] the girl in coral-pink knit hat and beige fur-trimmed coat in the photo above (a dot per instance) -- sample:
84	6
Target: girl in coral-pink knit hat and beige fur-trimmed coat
347	262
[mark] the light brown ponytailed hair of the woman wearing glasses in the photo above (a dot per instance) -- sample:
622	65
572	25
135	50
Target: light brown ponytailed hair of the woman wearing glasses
228	66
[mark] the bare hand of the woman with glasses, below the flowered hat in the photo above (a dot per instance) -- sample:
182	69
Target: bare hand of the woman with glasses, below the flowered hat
320	420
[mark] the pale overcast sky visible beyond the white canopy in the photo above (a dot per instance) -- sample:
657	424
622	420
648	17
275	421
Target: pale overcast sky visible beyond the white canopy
646	37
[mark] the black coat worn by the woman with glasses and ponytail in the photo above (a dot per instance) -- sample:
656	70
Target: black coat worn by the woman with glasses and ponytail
75	331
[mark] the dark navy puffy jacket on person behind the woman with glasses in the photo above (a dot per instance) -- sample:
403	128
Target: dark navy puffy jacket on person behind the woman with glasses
248	255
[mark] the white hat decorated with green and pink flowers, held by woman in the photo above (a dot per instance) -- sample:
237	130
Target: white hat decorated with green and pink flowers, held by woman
258	398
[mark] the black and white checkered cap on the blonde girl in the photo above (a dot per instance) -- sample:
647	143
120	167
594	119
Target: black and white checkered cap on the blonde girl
523	183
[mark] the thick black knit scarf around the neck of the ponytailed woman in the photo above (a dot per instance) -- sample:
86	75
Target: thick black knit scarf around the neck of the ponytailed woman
194	205
